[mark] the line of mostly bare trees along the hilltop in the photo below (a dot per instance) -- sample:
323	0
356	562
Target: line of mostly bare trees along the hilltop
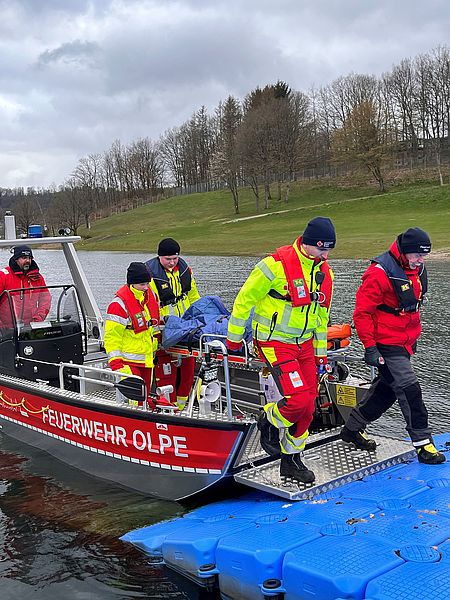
274	135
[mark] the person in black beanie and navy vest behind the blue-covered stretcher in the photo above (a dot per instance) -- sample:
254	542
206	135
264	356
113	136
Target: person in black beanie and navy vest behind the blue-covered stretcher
174	284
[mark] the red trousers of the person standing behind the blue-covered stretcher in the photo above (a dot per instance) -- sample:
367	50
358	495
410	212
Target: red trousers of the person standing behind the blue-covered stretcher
181	377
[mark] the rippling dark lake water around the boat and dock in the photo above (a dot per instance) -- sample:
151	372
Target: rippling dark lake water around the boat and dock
59	529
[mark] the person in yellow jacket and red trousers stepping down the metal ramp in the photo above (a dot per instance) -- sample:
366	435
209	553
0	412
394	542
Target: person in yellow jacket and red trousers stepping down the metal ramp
291	291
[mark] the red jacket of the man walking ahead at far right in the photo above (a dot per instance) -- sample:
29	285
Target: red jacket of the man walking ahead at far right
376	326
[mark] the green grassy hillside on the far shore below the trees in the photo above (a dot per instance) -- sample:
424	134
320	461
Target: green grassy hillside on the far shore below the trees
205	223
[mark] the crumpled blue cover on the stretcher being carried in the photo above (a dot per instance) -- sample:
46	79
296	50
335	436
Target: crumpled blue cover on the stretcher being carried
206	315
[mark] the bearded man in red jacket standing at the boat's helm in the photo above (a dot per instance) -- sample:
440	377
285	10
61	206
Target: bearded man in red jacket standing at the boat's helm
23	274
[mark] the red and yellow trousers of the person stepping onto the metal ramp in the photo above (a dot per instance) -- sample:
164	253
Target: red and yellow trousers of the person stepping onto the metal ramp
295	372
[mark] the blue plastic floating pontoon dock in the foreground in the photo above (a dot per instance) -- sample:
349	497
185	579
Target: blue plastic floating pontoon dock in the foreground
384	537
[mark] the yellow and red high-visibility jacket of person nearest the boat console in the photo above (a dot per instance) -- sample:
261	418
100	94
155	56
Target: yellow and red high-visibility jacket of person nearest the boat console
122	344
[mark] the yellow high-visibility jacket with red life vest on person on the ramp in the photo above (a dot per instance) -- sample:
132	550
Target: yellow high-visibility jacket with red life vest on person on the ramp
276	318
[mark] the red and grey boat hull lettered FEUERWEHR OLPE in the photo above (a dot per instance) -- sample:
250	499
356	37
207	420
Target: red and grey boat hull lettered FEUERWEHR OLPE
156	454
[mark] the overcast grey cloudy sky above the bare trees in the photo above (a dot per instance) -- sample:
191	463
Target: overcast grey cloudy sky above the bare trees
75	74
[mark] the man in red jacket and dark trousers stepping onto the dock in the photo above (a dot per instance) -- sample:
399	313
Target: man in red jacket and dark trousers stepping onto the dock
387	320
